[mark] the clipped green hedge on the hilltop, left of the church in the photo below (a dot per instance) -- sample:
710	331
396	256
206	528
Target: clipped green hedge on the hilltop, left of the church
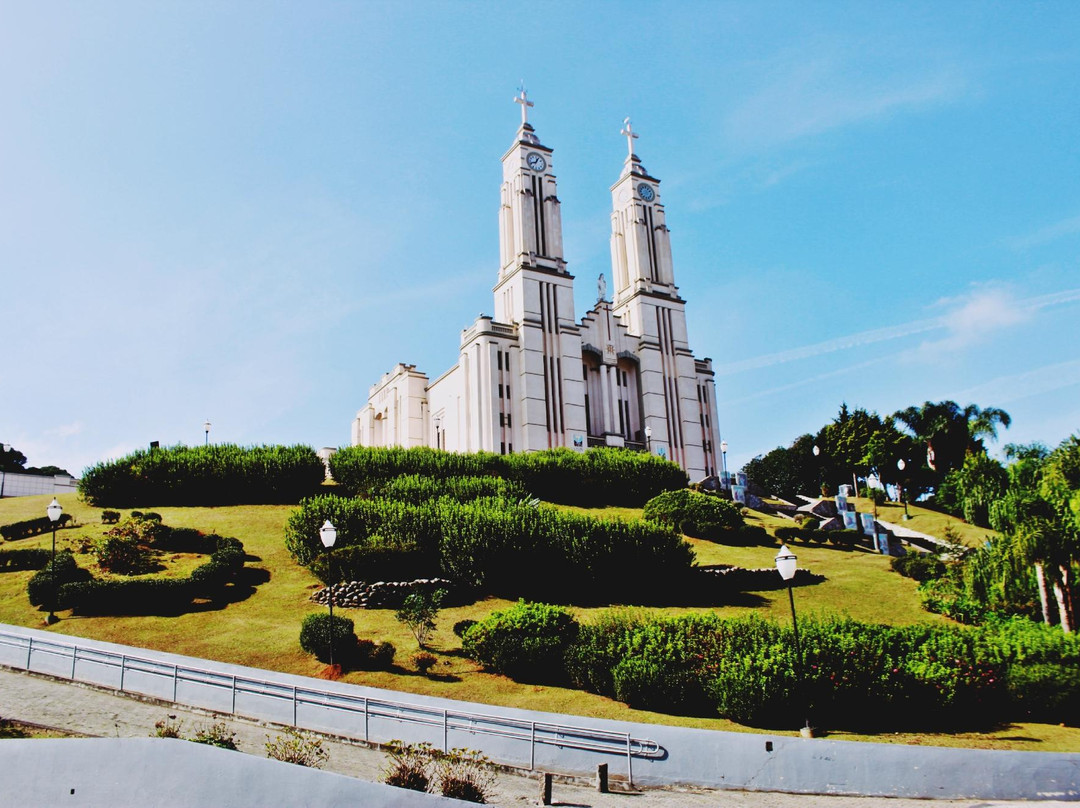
206	476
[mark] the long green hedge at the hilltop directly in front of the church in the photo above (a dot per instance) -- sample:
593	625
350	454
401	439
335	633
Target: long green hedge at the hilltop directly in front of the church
599	476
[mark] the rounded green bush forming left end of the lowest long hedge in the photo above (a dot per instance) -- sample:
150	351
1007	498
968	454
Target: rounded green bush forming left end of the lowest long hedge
526	642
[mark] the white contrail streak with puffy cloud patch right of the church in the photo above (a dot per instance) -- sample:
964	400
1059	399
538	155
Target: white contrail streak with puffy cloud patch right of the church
966	321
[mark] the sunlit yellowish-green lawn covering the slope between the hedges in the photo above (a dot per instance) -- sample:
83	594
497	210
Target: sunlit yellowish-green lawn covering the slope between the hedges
263	629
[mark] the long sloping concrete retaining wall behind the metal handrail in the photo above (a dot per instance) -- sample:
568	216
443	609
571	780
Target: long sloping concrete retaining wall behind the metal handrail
660	756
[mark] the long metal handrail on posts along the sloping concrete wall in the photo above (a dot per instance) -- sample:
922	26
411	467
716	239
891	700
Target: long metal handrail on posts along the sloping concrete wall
537	734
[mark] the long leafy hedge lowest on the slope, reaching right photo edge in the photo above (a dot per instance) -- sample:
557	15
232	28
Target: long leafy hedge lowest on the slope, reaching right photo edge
854	675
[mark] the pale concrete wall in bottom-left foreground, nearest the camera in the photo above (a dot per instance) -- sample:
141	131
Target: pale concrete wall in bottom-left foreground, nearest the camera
105	773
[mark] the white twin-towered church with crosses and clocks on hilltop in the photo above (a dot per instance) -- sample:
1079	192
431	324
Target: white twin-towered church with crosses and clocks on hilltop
533	376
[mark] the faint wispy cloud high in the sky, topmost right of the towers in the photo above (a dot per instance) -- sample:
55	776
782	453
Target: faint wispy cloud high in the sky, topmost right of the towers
811	97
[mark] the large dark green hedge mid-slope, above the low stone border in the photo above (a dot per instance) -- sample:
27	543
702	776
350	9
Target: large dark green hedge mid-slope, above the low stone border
496	546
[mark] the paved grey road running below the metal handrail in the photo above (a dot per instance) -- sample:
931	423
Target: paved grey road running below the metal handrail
92	712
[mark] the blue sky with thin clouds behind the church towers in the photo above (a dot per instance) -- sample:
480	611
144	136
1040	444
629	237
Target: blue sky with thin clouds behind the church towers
249	212
